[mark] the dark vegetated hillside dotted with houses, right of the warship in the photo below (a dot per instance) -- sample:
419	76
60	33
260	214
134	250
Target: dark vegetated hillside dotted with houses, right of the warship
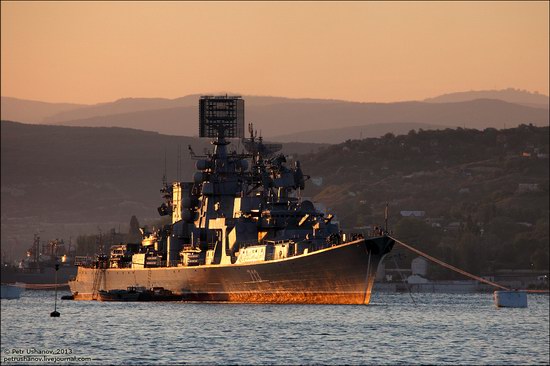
482	196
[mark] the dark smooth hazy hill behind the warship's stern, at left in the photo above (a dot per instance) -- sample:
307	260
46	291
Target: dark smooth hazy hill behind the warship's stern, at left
63	180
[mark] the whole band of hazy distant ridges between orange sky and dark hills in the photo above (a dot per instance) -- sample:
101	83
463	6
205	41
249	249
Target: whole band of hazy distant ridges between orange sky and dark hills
304	119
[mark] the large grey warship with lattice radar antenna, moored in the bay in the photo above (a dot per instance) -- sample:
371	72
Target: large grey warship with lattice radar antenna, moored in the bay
240	231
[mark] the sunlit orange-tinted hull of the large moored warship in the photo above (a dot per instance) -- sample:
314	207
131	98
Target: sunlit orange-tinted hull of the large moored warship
343	274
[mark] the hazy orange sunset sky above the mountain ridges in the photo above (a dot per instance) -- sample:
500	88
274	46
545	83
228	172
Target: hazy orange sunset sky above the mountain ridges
90	52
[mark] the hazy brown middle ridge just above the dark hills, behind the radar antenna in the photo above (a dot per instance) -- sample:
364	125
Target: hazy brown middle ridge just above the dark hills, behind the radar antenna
297	117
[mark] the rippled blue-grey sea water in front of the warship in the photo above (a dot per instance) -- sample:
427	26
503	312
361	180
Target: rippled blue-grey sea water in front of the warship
438	329
